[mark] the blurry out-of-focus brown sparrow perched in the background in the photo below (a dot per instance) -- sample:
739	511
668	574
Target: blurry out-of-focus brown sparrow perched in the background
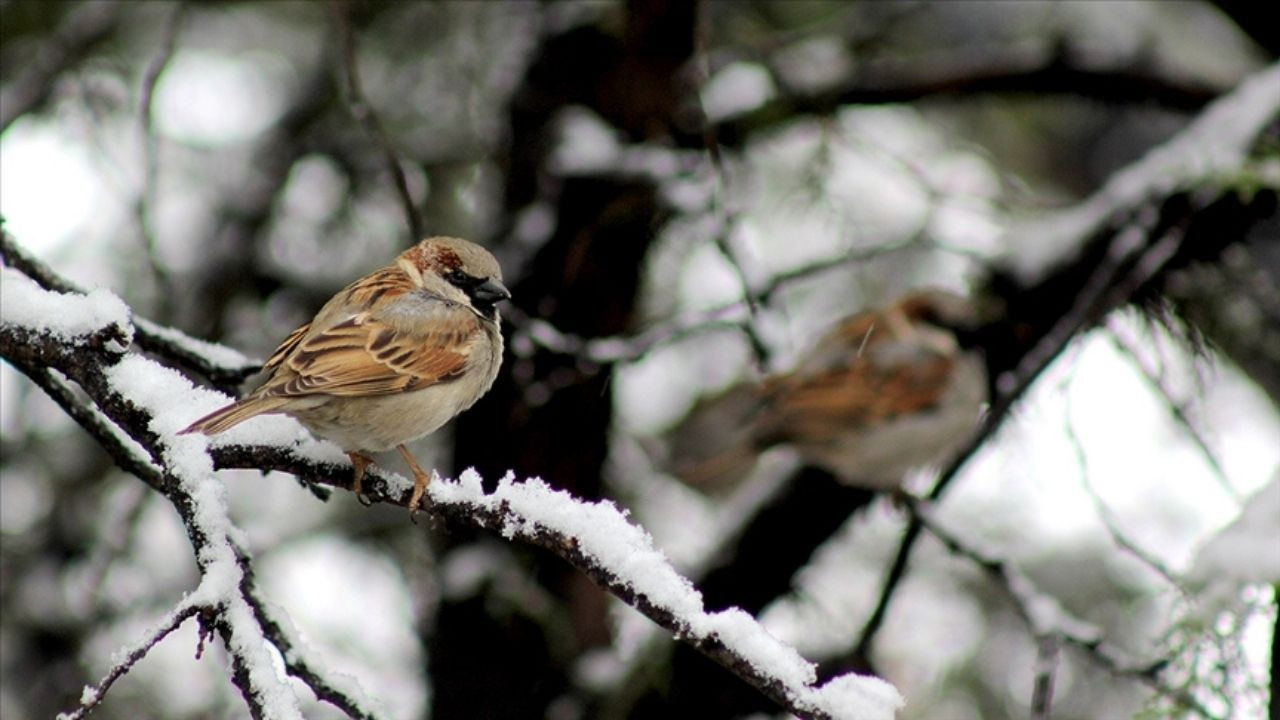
881	394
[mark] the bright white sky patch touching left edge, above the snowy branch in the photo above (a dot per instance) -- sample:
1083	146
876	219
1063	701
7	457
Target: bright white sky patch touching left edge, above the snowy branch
48	185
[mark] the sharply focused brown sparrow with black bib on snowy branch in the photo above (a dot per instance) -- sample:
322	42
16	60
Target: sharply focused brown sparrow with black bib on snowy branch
391	358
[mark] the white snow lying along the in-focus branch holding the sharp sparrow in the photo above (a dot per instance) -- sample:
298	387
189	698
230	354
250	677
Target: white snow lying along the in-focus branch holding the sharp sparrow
138	400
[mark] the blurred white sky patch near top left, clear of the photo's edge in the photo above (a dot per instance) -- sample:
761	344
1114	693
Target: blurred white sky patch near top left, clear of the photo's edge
212	101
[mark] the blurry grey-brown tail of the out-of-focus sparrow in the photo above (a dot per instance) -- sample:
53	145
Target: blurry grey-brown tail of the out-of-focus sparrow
714	449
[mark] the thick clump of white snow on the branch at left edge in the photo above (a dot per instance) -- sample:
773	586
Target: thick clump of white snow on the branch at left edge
67	317
